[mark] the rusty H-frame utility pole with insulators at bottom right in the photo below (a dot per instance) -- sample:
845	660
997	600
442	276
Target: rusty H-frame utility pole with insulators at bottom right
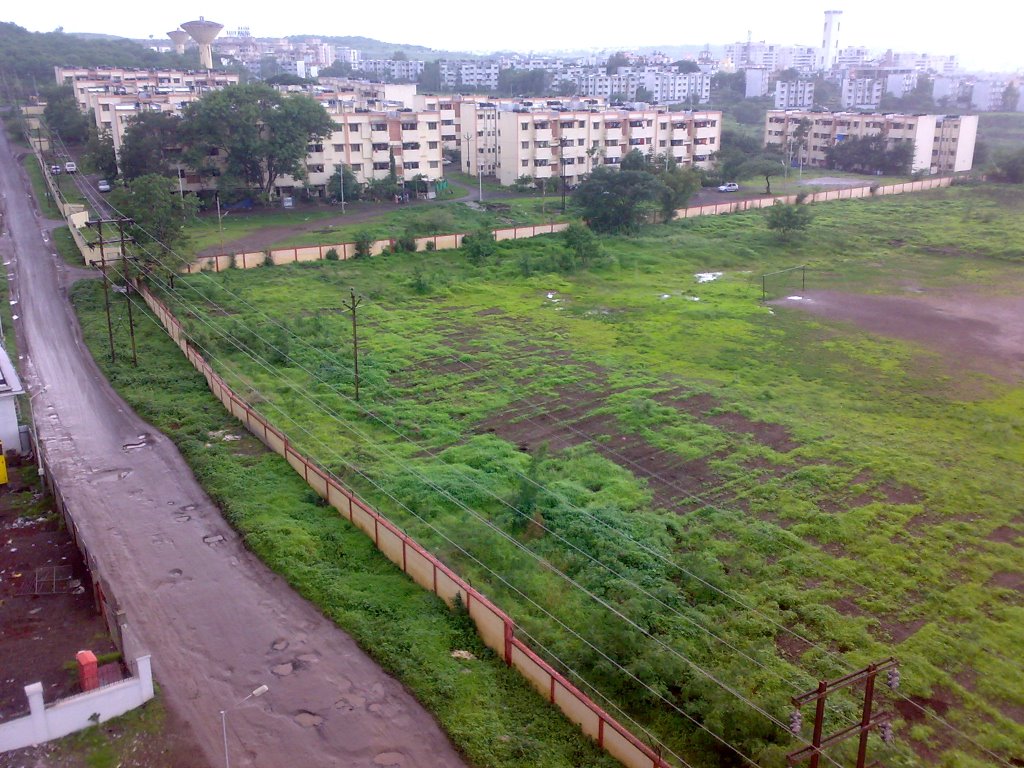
863	730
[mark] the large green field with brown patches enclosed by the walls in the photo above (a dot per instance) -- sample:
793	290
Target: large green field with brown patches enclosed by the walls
755	493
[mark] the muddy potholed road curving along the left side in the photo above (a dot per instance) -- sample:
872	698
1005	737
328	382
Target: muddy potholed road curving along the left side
218	622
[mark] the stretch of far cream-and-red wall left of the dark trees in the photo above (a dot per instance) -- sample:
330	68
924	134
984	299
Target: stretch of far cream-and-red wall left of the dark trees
345	251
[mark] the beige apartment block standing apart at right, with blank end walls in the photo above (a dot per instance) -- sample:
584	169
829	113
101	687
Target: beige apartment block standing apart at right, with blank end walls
943	144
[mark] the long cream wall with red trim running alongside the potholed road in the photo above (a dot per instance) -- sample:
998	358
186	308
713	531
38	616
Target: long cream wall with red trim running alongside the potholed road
496	628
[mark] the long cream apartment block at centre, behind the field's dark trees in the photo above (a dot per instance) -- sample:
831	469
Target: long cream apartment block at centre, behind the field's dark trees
549	144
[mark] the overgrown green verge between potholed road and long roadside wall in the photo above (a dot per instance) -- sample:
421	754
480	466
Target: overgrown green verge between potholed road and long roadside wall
490	713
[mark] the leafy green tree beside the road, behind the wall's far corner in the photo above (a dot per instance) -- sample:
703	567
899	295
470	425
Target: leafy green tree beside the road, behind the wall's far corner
160	214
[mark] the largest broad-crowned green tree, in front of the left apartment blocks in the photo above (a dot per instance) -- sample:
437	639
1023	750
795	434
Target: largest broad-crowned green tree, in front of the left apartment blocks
253	135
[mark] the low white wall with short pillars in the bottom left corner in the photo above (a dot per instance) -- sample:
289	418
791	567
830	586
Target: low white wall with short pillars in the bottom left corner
76	713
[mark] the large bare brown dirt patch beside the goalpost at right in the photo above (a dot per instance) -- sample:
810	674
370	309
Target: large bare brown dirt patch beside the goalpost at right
969	330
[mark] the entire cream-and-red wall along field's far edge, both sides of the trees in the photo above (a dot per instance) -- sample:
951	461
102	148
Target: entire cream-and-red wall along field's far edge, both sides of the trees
275	258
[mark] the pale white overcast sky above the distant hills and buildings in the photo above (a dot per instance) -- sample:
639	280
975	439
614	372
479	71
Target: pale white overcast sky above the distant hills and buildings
985	34
